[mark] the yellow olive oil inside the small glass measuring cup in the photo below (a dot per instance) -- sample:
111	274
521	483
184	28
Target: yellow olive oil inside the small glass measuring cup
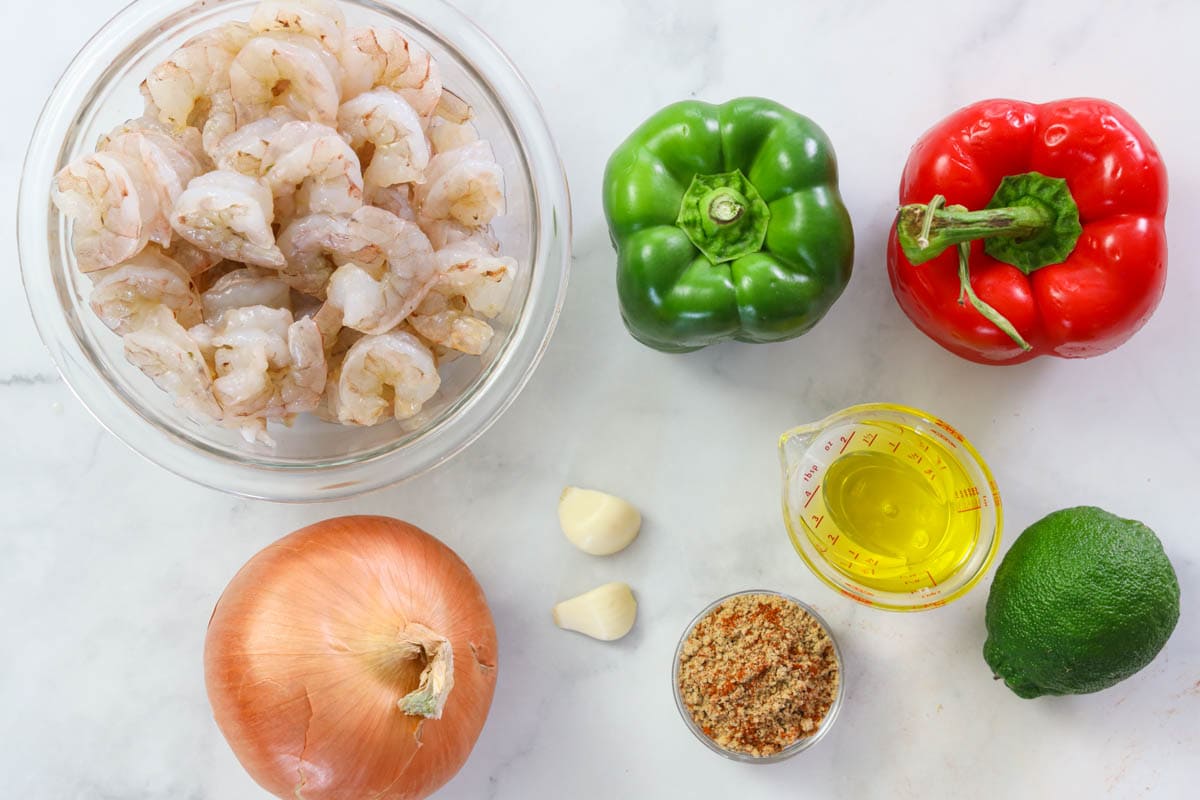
902	507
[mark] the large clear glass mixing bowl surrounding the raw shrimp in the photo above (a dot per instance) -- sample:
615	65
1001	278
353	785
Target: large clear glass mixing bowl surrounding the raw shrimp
313	460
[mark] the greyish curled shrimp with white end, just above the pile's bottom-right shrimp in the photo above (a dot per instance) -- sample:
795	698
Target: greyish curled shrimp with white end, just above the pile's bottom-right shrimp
376	303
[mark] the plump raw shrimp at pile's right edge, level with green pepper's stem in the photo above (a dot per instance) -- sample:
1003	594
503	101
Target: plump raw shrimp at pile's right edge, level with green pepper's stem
465	185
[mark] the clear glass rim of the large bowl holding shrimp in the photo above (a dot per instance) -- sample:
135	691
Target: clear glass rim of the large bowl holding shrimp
458	426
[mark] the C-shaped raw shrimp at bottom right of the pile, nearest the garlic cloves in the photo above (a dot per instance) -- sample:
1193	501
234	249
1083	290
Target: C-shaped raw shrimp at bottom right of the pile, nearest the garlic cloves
358	392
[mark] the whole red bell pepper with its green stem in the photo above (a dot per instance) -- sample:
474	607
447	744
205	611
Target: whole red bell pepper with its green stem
1053	242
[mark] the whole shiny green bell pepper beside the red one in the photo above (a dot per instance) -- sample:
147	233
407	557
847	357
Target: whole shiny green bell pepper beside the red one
728	224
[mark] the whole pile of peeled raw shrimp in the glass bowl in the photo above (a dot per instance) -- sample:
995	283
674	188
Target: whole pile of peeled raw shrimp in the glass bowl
299	222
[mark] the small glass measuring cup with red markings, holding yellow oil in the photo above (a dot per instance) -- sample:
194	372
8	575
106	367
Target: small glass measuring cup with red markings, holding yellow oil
890	506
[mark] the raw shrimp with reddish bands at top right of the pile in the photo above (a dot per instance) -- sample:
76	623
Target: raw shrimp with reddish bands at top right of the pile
374	57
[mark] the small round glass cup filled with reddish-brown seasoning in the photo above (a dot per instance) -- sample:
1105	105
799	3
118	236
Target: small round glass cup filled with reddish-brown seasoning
758	673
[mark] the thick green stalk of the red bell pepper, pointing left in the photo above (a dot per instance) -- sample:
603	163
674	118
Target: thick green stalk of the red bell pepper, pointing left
926	232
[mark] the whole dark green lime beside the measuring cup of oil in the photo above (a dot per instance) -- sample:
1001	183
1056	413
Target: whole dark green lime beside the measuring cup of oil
1082	601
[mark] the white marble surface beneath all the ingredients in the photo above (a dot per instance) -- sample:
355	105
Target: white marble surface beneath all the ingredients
110	567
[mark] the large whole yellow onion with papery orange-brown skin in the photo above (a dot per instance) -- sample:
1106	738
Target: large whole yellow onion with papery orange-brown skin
352	659
